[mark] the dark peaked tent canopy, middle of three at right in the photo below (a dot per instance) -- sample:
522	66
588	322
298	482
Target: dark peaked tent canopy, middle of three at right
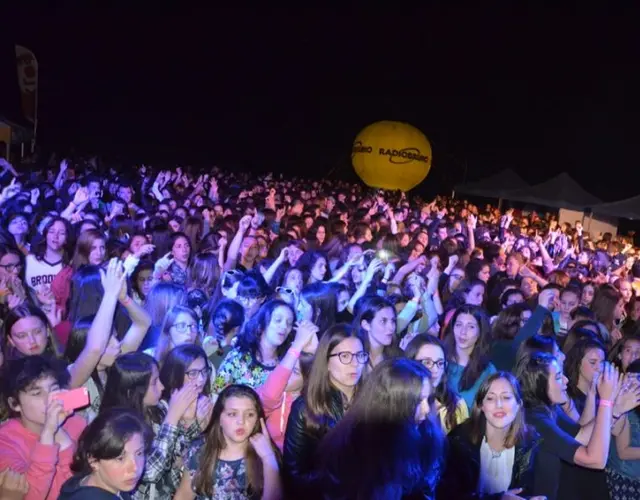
560	191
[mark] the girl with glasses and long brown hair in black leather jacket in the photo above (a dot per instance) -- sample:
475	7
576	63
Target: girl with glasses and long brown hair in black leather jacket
334	379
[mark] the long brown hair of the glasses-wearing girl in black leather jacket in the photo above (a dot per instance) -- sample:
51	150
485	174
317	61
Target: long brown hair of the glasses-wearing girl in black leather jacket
318	389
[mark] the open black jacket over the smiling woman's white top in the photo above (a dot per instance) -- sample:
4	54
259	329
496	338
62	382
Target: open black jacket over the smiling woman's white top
462	471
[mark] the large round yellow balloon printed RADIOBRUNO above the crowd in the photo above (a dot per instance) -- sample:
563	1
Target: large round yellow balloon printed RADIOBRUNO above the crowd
391	155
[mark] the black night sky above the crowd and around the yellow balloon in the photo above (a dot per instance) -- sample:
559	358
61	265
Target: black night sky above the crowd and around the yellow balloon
541	91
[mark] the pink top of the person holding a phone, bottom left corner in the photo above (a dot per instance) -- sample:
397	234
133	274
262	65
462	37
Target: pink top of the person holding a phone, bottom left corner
45	468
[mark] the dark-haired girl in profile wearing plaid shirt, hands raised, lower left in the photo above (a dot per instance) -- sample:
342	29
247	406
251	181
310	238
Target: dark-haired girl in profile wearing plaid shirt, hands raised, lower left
134	383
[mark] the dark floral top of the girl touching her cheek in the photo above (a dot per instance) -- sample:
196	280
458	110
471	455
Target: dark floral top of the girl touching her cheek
230	479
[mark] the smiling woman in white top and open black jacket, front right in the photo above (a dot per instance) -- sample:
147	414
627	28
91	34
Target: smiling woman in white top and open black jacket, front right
492	455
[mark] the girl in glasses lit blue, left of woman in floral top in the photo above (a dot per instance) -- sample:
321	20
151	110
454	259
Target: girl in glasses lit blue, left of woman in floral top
180	326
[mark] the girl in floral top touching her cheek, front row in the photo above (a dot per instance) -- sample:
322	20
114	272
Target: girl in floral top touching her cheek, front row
237	458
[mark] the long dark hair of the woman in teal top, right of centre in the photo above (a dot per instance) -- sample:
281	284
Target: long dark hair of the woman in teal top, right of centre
479	358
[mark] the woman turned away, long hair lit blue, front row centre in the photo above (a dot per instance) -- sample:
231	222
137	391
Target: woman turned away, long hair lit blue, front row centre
388	419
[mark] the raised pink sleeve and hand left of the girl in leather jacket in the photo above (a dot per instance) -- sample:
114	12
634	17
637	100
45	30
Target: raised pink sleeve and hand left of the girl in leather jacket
277	403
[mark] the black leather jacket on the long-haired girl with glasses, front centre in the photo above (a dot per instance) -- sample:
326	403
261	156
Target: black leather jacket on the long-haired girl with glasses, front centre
300	444
